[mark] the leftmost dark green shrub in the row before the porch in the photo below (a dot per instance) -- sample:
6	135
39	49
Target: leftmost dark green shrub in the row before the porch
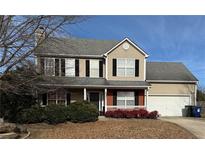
35	114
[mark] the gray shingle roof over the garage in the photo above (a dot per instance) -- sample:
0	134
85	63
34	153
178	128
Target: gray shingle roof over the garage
169	71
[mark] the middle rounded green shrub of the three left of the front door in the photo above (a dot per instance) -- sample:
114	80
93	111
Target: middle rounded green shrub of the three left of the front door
56	114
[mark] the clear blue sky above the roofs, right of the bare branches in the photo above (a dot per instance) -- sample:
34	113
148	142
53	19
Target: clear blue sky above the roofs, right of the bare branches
164	38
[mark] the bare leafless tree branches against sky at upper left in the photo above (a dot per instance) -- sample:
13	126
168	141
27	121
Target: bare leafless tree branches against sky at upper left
18	40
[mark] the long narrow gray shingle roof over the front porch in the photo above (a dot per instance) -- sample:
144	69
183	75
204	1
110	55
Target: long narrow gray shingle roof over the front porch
90	82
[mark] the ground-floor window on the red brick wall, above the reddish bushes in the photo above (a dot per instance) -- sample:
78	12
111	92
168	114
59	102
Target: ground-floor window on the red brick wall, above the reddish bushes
125	99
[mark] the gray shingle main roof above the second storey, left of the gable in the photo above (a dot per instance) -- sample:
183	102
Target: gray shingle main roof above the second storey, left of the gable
75	47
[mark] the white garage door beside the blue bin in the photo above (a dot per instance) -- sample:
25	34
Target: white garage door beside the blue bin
168	105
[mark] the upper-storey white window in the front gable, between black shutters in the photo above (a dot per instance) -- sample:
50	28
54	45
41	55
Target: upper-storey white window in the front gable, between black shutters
125	67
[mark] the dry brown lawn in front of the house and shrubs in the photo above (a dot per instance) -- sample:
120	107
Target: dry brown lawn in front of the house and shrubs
110	129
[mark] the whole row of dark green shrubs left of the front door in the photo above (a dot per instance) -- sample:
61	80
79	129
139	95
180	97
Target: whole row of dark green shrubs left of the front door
75	112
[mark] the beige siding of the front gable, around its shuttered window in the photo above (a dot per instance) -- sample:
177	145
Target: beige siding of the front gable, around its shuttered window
132	52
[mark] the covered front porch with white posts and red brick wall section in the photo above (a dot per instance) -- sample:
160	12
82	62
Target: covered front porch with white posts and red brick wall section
104	98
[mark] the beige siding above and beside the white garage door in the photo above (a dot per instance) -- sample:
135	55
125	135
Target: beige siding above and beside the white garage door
173	89
